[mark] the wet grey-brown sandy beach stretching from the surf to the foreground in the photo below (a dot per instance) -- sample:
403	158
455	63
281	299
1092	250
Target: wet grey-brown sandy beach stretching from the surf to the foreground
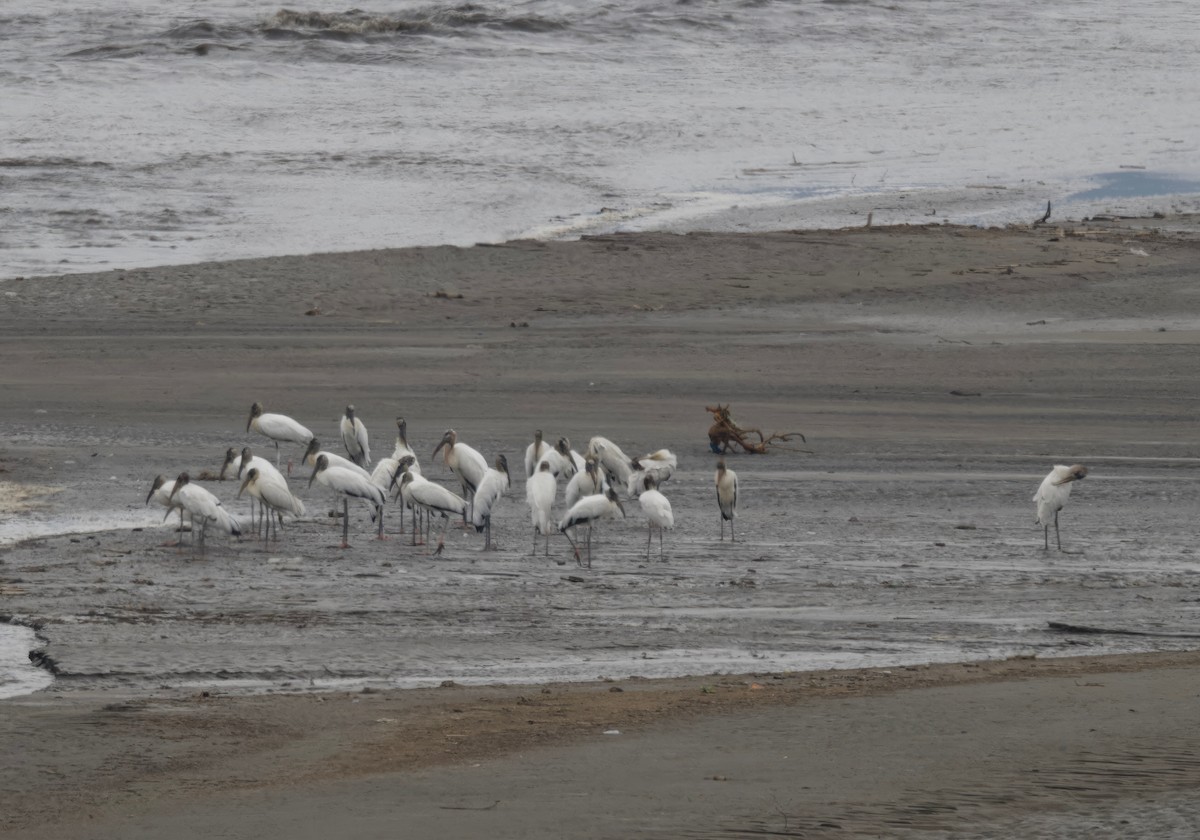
938	373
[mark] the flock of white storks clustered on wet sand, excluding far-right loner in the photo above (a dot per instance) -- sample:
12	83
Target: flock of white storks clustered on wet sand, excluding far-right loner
596	482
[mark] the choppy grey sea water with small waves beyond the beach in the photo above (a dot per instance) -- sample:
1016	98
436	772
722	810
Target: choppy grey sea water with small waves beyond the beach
143	133
